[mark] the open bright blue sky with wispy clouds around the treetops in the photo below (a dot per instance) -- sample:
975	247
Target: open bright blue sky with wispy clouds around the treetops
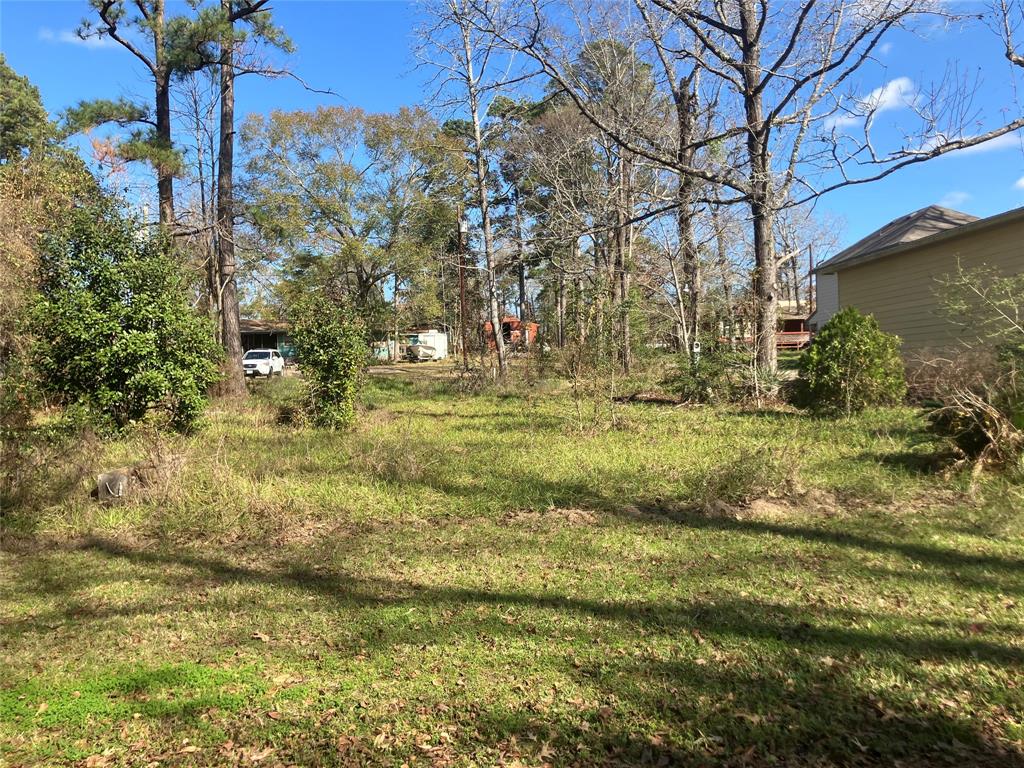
364	53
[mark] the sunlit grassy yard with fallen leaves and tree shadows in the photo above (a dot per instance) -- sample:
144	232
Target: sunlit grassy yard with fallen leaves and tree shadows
471	580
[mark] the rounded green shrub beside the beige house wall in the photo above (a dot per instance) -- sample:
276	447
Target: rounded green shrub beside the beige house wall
851	365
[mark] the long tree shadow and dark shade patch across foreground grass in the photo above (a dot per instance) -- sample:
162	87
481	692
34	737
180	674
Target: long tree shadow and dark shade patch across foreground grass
803	706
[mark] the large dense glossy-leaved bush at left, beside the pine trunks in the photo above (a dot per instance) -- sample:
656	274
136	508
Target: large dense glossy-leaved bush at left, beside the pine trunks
115	331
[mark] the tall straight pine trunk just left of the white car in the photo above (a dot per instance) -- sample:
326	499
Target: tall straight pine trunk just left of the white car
231	320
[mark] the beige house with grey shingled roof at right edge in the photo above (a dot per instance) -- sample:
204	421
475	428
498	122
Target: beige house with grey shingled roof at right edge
893	274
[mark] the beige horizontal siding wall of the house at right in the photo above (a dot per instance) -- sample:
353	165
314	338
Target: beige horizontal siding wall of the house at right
901	290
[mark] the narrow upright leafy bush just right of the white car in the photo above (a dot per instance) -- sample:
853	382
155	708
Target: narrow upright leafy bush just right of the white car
331	349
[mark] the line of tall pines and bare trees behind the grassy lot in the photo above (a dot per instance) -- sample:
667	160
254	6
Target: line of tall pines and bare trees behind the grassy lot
631	176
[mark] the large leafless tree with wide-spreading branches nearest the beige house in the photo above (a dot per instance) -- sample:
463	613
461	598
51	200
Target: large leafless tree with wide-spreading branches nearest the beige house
784	70
